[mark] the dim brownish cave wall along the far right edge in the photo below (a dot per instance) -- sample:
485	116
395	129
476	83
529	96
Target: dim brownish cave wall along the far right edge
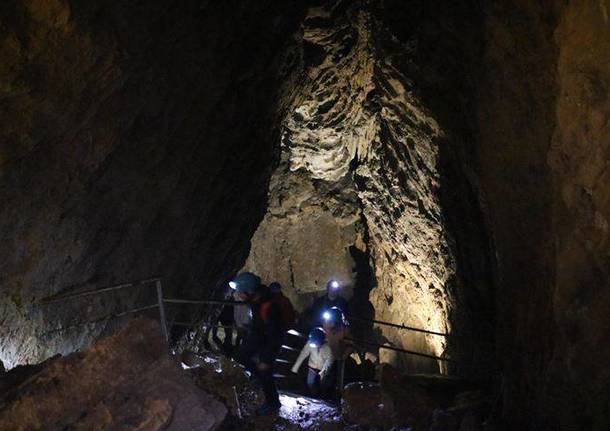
543	162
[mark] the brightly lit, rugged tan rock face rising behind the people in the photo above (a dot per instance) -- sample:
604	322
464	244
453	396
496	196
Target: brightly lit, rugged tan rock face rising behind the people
360	169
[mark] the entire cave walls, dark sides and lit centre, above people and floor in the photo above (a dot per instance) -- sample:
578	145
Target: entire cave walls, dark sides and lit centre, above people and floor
456	151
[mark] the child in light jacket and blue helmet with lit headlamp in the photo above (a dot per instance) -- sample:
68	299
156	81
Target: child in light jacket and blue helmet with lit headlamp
320	361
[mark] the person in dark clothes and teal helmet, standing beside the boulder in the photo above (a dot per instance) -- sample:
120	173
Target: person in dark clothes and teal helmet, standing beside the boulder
264	339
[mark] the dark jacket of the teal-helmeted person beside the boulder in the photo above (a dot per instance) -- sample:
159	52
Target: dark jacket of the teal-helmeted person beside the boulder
267	329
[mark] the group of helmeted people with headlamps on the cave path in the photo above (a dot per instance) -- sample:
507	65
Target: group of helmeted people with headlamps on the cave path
262	323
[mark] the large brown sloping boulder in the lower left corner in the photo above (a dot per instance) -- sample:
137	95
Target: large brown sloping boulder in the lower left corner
123	382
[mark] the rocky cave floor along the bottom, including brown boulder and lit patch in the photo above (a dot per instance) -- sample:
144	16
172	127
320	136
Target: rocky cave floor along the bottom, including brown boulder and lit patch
128	382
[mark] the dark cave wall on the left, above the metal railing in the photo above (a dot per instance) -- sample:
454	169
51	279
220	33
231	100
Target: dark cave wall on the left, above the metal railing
136	139
